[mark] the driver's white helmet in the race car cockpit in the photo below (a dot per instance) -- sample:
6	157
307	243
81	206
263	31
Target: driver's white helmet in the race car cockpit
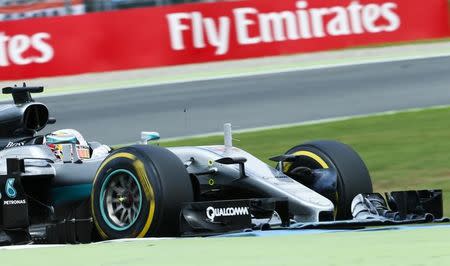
56	139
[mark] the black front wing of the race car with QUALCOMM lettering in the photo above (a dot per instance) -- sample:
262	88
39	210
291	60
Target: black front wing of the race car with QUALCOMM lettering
218	217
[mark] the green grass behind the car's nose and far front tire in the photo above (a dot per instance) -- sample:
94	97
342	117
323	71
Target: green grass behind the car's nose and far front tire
408	150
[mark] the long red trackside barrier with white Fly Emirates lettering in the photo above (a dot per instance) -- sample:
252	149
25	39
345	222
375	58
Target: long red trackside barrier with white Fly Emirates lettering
194	33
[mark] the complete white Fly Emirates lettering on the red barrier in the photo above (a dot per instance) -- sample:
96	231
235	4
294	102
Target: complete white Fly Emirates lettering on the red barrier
254	27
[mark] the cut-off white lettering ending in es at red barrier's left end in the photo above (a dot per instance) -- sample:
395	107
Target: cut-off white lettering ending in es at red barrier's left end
22	49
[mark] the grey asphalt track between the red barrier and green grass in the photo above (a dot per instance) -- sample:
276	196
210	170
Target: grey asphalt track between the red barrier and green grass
118	116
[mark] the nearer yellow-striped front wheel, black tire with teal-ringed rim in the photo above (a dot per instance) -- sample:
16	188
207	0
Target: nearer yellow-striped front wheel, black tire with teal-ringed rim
138	191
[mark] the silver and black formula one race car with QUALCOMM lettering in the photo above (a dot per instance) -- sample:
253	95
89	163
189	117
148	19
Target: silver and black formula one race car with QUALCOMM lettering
59	188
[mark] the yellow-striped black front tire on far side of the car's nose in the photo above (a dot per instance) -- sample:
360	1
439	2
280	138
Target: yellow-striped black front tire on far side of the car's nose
353	177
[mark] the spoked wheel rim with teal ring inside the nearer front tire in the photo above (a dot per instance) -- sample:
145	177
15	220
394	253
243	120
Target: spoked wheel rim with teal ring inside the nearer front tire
120	199
